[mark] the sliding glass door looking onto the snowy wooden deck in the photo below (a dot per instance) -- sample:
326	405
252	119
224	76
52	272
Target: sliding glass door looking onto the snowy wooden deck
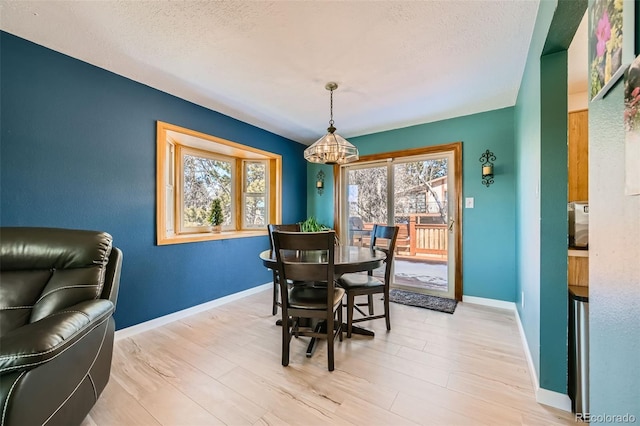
418	194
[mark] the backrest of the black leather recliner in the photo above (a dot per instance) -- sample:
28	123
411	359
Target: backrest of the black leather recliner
45	270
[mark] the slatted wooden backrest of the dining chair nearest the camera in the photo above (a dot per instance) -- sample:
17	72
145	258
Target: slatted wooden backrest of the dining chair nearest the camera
305	256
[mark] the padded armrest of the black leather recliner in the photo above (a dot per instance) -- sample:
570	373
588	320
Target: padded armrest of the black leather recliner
38	342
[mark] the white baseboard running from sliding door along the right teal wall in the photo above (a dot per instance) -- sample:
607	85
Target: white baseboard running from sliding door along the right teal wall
543	396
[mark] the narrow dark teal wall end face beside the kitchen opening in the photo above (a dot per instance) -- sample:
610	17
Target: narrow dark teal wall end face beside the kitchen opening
553	222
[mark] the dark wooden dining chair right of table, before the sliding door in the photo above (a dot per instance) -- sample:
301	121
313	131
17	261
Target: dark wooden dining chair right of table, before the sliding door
357	284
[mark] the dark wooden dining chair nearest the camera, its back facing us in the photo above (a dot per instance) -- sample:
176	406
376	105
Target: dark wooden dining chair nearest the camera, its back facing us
308	256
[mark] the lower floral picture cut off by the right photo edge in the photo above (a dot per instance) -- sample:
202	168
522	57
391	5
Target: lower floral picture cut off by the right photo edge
632	129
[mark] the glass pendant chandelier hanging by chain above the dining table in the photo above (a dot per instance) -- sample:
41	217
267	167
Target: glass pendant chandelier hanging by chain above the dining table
331	148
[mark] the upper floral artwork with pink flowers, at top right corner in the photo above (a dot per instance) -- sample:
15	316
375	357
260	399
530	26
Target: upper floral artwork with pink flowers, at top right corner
611	43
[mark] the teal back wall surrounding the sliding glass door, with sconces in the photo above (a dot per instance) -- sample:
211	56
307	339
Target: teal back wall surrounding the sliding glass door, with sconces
488	246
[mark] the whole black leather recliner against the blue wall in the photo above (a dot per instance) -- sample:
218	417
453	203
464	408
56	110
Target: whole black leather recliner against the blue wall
58	292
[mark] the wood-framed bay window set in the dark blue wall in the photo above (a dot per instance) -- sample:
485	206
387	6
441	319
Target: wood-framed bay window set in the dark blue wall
194	168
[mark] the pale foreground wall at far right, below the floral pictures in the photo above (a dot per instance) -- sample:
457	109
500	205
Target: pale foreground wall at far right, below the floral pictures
614	262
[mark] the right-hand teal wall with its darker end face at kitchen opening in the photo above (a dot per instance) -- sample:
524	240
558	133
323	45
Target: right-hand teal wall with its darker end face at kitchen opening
541	158
